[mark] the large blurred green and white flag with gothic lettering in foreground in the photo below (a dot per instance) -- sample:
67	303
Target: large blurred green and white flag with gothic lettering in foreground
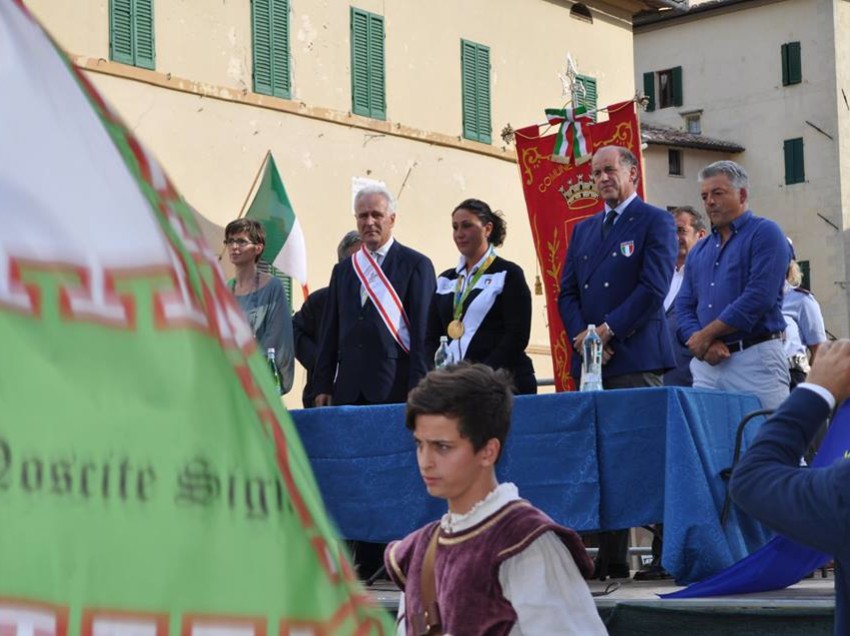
151	483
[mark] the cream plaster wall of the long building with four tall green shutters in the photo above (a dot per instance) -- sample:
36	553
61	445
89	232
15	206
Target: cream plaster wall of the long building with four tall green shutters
212	145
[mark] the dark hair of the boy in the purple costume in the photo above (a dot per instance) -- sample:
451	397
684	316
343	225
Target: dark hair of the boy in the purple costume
480	397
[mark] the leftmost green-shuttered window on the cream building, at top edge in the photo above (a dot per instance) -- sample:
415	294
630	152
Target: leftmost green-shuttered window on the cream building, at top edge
131	30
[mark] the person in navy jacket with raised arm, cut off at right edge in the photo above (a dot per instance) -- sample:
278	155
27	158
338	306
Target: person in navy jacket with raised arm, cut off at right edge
808	505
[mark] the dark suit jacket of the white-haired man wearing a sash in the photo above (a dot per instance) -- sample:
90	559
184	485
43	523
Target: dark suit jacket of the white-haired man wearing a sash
359	361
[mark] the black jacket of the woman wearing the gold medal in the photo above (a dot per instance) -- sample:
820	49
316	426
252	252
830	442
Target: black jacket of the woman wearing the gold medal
502	337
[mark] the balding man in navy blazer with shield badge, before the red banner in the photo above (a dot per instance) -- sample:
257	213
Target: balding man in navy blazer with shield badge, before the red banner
617	271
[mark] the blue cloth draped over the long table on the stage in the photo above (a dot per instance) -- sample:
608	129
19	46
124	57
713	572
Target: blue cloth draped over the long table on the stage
603	460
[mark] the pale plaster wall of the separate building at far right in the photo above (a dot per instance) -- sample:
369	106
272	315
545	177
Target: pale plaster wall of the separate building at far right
732	71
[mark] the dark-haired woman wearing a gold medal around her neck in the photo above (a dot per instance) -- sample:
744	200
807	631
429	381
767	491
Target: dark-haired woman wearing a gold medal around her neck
483	305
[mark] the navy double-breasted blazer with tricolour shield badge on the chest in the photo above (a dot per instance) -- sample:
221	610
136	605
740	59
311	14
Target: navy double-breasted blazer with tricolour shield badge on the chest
622	280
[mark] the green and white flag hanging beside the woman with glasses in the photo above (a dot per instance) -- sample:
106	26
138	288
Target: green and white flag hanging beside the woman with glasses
284	239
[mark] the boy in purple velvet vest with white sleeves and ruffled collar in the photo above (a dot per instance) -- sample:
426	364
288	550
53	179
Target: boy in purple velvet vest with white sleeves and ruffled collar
494	564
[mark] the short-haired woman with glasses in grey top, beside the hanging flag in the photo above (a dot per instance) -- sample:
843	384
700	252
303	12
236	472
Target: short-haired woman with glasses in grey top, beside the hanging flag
261	296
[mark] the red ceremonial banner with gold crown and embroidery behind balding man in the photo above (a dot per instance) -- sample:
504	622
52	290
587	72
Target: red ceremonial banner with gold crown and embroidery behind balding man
558	196
